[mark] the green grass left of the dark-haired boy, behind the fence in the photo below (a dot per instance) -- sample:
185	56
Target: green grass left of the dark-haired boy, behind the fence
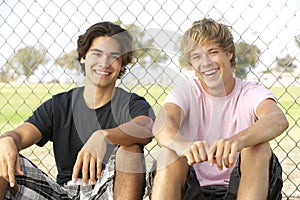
17	101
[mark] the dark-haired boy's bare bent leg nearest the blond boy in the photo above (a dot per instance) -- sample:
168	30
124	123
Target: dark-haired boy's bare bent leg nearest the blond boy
130	173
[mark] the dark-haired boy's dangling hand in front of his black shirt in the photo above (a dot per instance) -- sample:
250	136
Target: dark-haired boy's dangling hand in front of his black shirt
89	159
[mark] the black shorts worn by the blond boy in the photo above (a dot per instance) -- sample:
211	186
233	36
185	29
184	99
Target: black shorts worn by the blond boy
220	192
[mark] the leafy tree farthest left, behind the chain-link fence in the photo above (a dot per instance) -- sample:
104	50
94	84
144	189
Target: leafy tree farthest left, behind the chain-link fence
26	61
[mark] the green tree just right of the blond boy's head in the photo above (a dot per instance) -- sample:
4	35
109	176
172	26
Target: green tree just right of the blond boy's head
246	57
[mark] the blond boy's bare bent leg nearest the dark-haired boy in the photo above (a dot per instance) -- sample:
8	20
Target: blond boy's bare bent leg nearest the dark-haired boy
171	176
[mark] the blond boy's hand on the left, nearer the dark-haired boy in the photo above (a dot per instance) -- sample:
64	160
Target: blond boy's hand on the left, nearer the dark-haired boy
197	152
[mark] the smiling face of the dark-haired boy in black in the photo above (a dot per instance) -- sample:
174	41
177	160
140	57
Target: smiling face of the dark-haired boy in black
103	62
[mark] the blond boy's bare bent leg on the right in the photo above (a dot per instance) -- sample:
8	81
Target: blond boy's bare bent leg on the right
254	169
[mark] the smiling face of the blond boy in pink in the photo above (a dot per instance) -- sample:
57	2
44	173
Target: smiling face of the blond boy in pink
213	68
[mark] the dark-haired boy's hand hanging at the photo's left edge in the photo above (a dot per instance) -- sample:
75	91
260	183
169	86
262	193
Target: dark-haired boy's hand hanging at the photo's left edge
9	160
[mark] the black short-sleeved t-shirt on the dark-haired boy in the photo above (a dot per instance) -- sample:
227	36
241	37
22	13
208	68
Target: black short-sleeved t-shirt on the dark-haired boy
68	123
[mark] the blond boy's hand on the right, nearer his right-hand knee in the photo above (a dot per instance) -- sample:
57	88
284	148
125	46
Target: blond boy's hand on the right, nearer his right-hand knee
224	151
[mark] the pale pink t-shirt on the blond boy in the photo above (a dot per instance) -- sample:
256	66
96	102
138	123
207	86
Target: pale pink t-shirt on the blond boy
210	118
